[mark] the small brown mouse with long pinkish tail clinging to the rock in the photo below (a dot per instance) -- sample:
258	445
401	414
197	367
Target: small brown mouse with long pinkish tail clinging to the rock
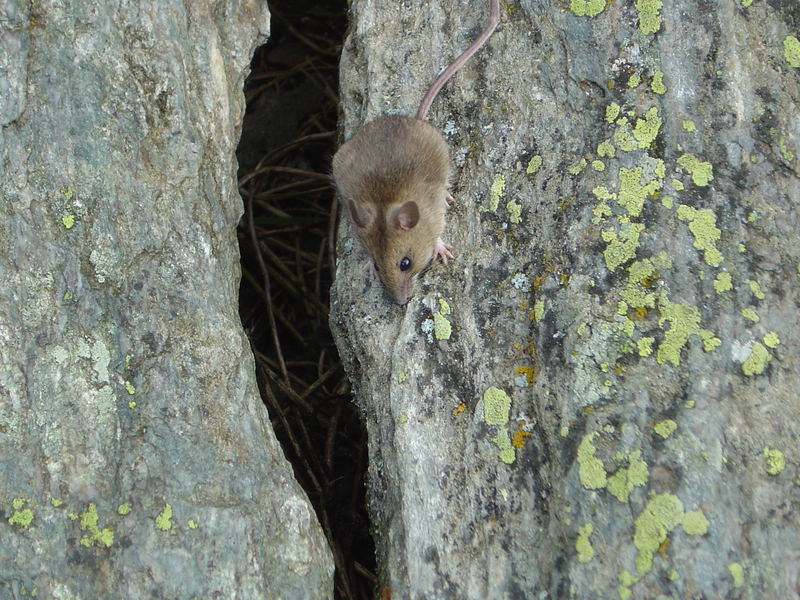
393	177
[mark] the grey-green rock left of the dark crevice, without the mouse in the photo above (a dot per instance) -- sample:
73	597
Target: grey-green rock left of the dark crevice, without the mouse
136	458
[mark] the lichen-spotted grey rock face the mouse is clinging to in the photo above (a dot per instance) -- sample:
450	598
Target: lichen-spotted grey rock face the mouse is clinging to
599	397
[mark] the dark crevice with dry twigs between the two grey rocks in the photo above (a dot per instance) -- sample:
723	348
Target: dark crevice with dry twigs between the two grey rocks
288	139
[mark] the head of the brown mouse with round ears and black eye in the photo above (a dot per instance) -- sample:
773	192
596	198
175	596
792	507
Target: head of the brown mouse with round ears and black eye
400	240
